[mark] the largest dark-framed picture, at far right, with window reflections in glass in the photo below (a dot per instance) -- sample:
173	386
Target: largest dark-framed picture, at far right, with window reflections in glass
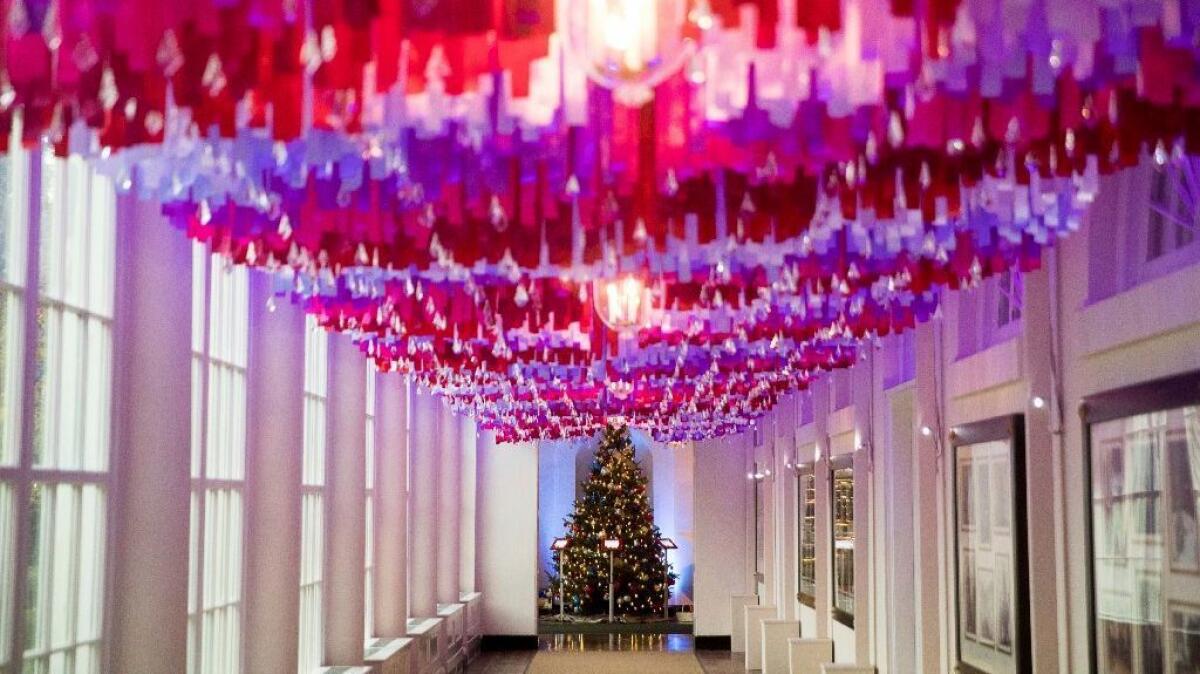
1143	464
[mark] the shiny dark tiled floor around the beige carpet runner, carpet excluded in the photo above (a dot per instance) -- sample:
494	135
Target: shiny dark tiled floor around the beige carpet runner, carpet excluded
517	663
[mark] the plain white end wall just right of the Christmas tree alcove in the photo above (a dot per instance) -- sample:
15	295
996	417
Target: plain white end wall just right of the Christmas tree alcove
721	519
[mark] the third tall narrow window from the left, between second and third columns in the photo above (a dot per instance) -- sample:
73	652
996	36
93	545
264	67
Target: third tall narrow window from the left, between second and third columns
313	501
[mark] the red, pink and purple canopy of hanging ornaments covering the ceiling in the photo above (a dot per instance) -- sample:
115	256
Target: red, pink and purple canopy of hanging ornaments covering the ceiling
562	213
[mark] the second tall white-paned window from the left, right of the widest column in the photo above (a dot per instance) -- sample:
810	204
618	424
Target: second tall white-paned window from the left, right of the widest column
220	332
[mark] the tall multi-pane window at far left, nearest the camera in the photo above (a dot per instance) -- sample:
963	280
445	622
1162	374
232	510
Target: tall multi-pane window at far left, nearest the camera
53	489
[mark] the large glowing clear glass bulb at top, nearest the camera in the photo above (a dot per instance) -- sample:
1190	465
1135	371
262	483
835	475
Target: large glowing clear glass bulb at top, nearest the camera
633	46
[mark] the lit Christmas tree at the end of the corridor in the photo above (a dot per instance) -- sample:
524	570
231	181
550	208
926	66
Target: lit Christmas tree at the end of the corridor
615	504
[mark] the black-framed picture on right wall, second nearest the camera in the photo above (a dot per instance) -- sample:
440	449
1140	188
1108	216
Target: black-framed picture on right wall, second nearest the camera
992	565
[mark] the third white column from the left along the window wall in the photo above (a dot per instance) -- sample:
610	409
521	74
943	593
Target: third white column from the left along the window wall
346	526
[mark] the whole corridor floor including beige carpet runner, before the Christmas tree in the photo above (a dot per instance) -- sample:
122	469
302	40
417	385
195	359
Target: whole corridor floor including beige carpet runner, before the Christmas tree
617	654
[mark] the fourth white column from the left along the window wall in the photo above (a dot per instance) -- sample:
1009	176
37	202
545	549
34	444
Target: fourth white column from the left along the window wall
392	500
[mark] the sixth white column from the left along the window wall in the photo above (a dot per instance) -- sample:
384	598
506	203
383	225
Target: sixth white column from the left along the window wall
449	503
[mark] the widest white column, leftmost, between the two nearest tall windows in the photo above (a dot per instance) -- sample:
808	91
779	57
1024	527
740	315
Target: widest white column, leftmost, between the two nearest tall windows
152	490
